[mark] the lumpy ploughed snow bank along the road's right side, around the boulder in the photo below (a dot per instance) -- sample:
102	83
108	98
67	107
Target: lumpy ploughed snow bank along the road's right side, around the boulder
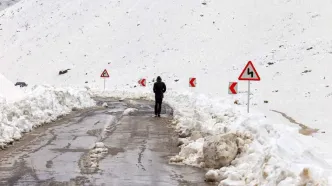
276	154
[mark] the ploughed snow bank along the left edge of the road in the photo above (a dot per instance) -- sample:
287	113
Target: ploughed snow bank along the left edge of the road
42	105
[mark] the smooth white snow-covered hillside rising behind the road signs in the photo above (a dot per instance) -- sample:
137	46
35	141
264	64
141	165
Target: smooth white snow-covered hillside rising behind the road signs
289	42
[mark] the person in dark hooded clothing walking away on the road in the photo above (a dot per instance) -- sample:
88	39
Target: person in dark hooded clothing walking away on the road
159	88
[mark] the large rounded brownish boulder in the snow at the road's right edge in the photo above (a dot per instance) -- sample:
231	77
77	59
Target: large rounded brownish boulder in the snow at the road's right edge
220	150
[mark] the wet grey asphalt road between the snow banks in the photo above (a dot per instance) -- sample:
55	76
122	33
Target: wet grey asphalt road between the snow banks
138	144
